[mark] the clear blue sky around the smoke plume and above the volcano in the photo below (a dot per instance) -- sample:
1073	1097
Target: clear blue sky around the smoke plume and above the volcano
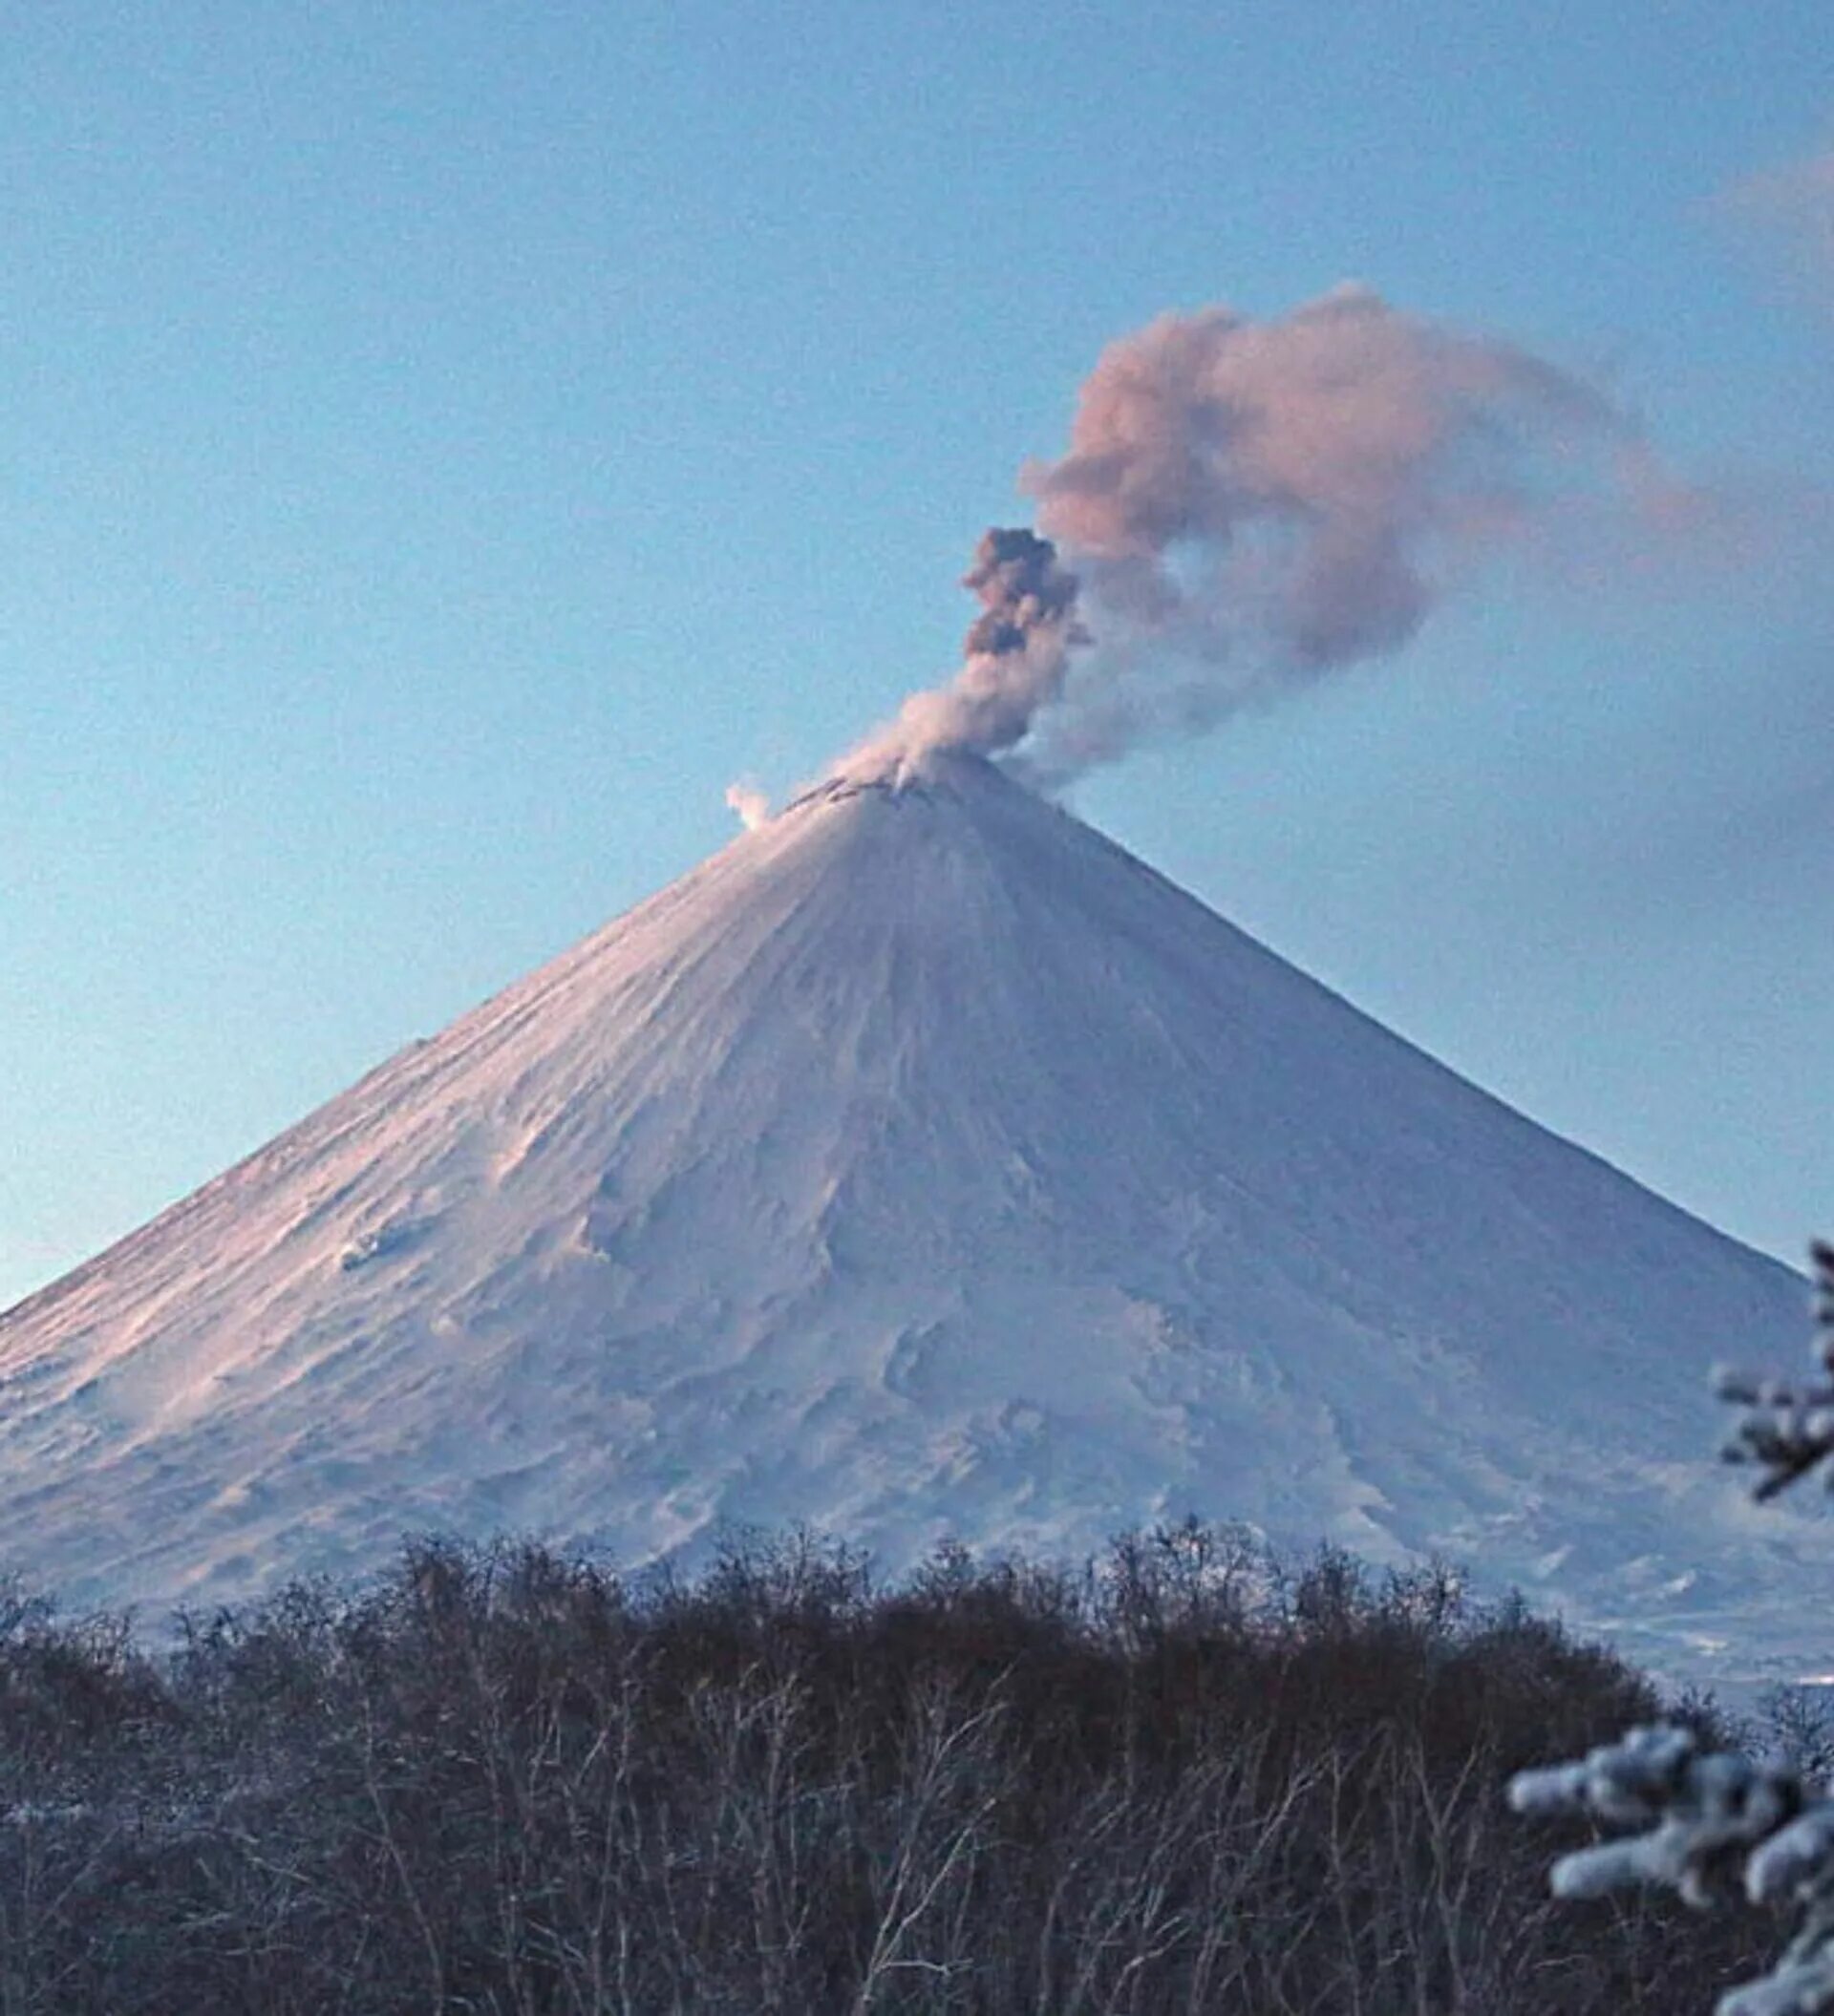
446	443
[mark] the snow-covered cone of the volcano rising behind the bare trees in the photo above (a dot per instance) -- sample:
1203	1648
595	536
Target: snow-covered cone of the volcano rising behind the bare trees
920	1166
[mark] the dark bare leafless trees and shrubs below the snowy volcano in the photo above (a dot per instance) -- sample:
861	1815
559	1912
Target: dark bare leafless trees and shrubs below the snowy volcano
509	1781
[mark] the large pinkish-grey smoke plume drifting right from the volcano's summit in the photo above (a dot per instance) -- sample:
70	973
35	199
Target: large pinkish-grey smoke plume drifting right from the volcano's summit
1249	507
